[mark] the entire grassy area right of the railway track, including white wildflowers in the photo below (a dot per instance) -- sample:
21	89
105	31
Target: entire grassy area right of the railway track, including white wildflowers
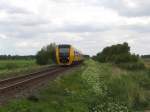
93	87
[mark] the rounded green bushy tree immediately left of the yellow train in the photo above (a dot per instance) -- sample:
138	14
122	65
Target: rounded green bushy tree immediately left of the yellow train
46	55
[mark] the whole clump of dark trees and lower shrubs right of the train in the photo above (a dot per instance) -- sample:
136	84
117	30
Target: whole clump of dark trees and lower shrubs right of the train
120	55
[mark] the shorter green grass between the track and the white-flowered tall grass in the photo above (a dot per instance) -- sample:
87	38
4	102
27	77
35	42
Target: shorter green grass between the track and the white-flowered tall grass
66	93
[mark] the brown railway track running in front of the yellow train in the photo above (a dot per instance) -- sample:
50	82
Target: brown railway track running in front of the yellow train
13	86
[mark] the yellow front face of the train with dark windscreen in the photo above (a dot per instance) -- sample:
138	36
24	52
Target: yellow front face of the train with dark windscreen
64	54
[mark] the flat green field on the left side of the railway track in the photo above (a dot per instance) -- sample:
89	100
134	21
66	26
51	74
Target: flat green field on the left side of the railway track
10	68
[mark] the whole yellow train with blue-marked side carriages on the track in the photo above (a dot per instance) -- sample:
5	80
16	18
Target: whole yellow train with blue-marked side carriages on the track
67	55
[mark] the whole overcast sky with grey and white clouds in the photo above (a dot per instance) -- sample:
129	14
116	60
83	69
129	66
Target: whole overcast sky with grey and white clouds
89	25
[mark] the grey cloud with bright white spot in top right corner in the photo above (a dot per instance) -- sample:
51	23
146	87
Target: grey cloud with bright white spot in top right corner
130	8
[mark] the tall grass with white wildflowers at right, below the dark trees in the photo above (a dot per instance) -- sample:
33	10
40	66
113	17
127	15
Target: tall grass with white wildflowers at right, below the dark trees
118	89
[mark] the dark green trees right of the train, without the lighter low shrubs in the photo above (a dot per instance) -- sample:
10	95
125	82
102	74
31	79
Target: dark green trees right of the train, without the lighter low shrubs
119	53
